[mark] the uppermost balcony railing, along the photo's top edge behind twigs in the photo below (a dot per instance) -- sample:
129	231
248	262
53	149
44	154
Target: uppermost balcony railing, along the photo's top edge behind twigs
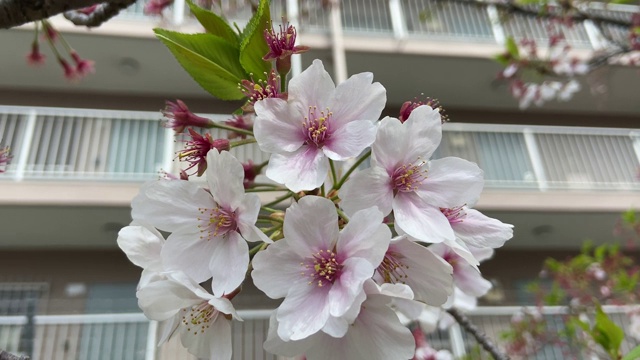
423	19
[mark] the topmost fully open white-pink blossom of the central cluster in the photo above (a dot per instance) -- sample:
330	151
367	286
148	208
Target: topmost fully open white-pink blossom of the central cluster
319	121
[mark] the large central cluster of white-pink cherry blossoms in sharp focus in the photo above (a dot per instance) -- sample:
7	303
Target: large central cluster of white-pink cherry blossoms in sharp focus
348	252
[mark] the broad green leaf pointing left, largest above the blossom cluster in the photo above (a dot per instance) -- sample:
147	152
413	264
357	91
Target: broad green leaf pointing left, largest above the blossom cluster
211	61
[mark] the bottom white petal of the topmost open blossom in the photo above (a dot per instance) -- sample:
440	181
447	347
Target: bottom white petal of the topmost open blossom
303	169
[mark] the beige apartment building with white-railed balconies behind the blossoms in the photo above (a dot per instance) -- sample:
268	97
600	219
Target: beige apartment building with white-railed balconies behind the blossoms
561	174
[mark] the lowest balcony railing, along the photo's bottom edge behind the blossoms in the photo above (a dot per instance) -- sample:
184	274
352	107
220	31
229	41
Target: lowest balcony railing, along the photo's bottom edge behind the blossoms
133	337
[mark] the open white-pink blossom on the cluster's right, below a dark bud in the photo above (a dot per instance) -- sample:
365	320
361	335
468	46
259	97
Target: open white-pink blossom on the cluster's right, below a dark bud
403	180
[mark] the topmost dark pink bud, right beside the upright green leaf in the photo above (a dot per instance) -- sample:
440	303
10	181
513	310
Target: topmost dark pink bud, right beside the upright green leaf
281	46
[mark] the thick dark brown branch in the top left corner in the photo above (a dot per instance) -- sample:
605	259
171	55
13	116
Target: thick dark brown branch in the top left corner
18	12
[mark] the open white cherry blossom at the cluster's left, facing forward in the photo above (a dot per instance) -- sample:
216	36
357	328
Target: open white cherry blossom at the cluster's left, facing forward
209	228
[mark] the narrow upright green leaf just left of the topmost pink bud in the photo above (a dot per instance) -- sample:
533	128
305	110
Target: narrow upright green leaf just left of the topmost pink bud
253	45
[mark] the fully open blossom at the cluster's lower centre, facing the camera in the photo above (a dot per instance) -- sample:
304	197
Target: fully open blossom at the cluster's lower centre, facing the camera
319	270
